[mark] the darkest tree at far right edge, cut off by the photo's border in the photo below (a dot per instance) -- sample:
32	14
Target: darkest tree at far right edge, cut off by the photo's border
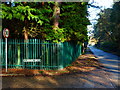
115	20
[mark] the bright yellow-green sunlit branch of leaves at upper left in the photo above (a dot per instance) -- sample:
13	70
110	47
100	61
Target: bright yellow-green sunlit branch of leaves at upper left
21	12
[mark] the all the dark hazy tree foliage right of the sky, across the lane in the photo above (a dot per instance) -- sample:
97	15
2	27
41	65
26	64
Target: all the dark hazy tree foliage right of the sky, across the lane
108	27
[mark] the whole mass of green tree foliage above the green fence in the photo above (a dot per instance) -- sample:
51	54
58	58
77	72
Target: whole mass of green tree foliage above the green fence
36	19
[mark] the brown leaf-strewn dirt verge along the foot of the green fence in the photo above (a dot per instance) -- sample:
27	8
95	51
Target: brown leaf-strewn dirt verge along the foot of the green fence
84	63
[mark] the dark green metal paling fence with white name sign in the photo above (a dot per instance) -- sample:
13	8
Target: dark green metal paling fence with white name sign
38	54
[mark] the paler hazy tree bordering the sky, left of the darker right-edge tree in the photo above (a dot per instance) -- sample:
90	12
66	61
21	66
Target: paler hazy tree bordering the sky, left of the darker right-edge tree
102	28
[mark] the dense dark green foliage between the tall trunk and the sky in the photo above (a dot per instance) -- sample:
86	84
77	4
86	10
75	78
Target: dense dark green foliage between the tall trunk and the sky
74	21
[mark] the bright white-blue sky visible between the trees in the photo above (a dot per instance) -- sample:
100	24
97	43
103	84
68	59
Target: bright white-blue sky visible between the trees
94	11
